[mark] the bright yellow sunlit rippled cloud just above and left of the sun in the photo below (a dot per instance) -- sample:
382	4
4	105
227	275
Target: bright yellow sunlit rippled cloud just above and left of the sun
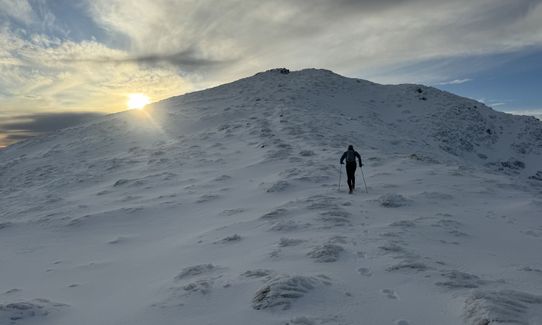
40	72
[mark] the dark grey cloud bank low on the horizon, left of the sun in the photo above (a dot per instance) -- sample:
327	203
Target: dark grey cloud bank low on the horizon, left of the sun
25	126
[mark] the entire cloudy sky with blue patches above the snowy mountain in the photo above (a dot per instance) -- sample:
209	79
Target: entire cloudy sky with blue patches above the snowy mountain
66	61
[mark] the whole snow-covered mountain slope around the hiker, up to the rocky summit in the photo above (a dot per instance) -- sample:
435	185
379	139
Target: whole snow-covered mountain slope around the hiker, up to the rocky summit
222	207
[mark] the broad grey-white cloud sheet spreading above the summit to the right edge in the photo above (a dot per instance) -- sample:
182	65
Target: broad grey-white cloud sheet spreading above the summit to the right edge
346	36
